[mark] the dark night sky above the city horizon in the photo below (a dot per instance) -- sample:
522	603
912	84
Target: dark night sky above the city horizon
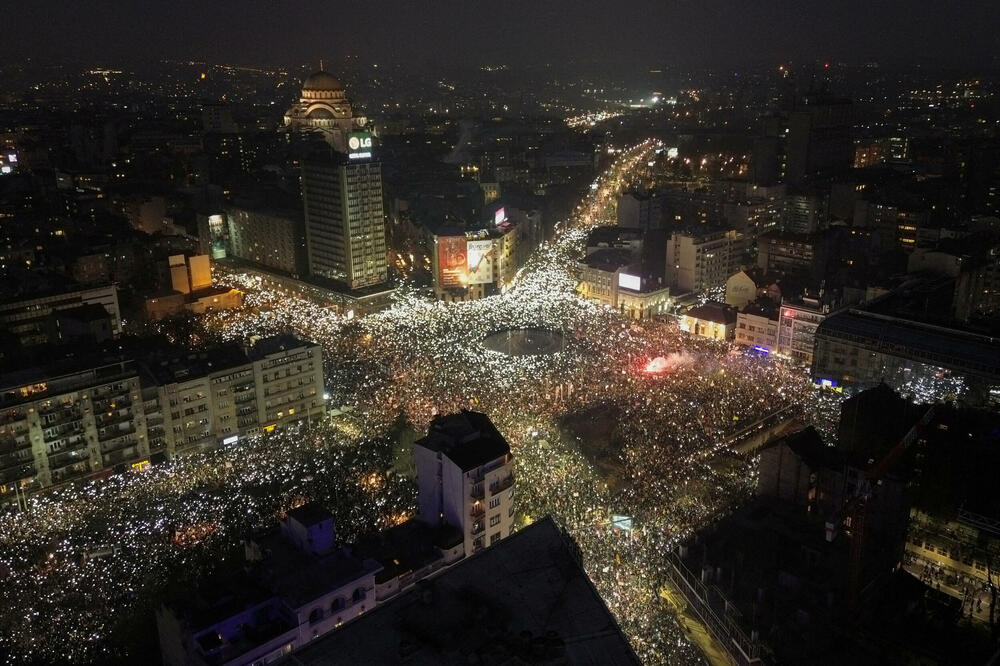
682	32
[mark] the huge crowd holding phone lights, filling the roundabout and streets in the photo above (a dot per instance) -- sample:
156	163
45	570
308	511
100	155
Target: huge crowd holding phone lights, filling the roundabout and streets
671	470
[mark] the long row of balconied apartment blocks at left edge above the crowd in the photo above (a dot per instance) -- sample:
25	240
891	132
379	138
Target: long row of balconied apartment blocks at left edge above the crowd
85	417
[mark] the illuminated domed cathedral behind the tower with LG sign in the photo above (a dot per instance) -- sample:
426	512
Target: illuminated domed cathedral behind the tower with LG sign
324	108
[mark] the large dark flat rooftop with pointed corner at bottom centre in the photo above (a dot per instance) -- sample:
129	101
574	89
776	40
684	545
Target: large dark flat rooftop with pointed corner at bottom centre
524	600
